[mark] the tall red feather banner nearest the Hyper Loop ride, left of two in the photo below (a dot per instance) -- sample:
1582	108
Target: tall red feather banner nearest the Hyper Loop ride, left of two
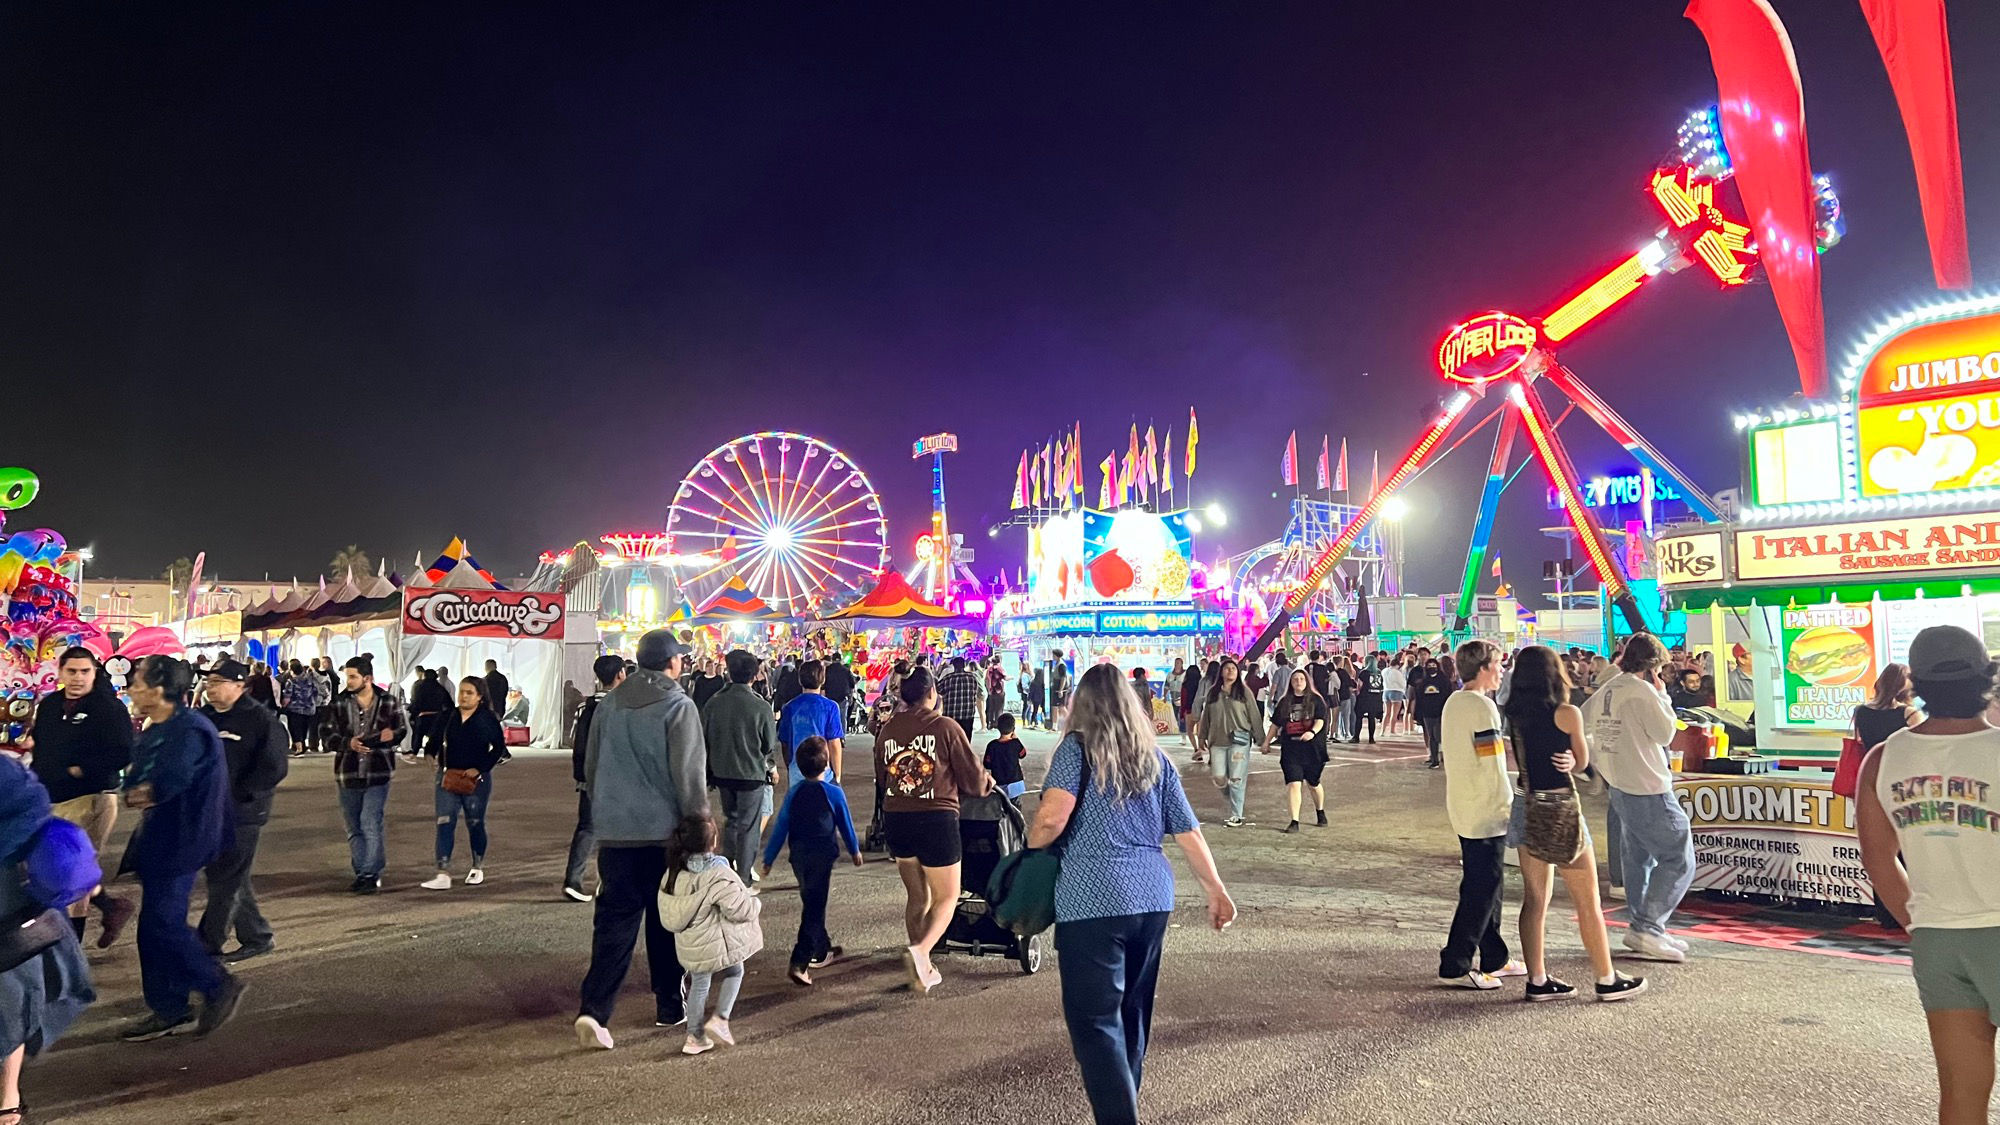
1765	131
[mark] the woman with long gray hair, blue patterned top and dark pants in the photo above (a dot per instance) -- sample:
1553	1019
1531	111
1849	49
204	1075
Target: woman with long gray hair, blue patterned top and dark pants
1111	796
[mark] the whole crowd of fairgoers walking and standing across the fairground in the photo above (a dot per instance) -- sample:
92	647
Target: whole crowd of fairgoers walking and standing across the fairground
1523	742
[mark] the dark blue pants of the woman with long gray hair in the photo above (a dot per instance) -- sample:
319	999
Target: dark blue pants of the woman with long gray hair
1109	976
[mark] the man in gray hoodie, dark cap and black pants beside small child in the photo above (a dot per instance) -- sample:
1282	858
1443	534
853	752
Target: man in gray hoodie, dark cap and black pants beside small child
645	770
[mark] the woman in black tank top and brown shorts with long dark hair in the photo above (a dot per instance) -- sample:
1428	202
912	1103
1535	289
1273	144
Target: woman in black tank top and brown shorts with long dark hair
1547	736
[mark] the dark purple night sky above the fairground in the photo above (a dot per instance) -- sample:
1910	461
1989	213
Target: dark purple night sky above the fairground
279	281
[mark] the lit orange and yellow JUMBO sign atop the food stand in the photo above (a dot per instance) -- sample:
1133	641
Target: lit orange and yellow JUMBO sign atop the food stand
1929	409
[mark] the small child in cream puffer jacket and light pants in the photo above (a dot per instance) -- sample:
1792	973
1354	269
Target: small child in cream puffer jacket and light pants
713	920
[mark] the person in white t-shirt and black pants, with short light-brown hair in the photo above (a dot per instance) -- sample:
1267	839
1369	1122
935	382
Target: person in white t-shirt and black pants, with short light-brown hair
1479	798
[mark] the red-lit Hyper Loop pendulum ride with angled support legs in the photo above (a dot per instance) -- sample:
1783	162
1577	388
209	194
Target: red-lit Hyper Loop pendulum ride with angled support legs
1511	353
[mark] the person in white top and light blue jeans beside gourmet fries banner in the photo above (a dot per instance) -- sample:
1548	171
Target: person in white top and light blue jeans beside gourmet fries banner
1631	724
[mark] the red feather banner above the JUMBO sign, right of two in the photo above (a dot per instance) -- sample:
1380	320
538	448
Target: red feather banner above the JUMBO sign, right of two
1917	51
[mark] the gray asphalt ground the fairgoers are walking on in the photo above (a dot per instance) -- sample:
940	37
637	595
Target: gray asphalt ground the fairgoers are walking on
1317	1006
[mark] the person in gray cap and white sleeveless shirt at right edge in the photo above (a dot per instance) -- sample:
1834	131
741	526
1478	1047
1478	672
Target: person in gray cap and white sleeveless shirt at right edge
1933	796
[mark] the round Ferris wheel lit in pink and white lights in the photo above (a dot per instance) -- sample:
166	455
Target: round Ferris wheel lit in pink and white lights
793	515
